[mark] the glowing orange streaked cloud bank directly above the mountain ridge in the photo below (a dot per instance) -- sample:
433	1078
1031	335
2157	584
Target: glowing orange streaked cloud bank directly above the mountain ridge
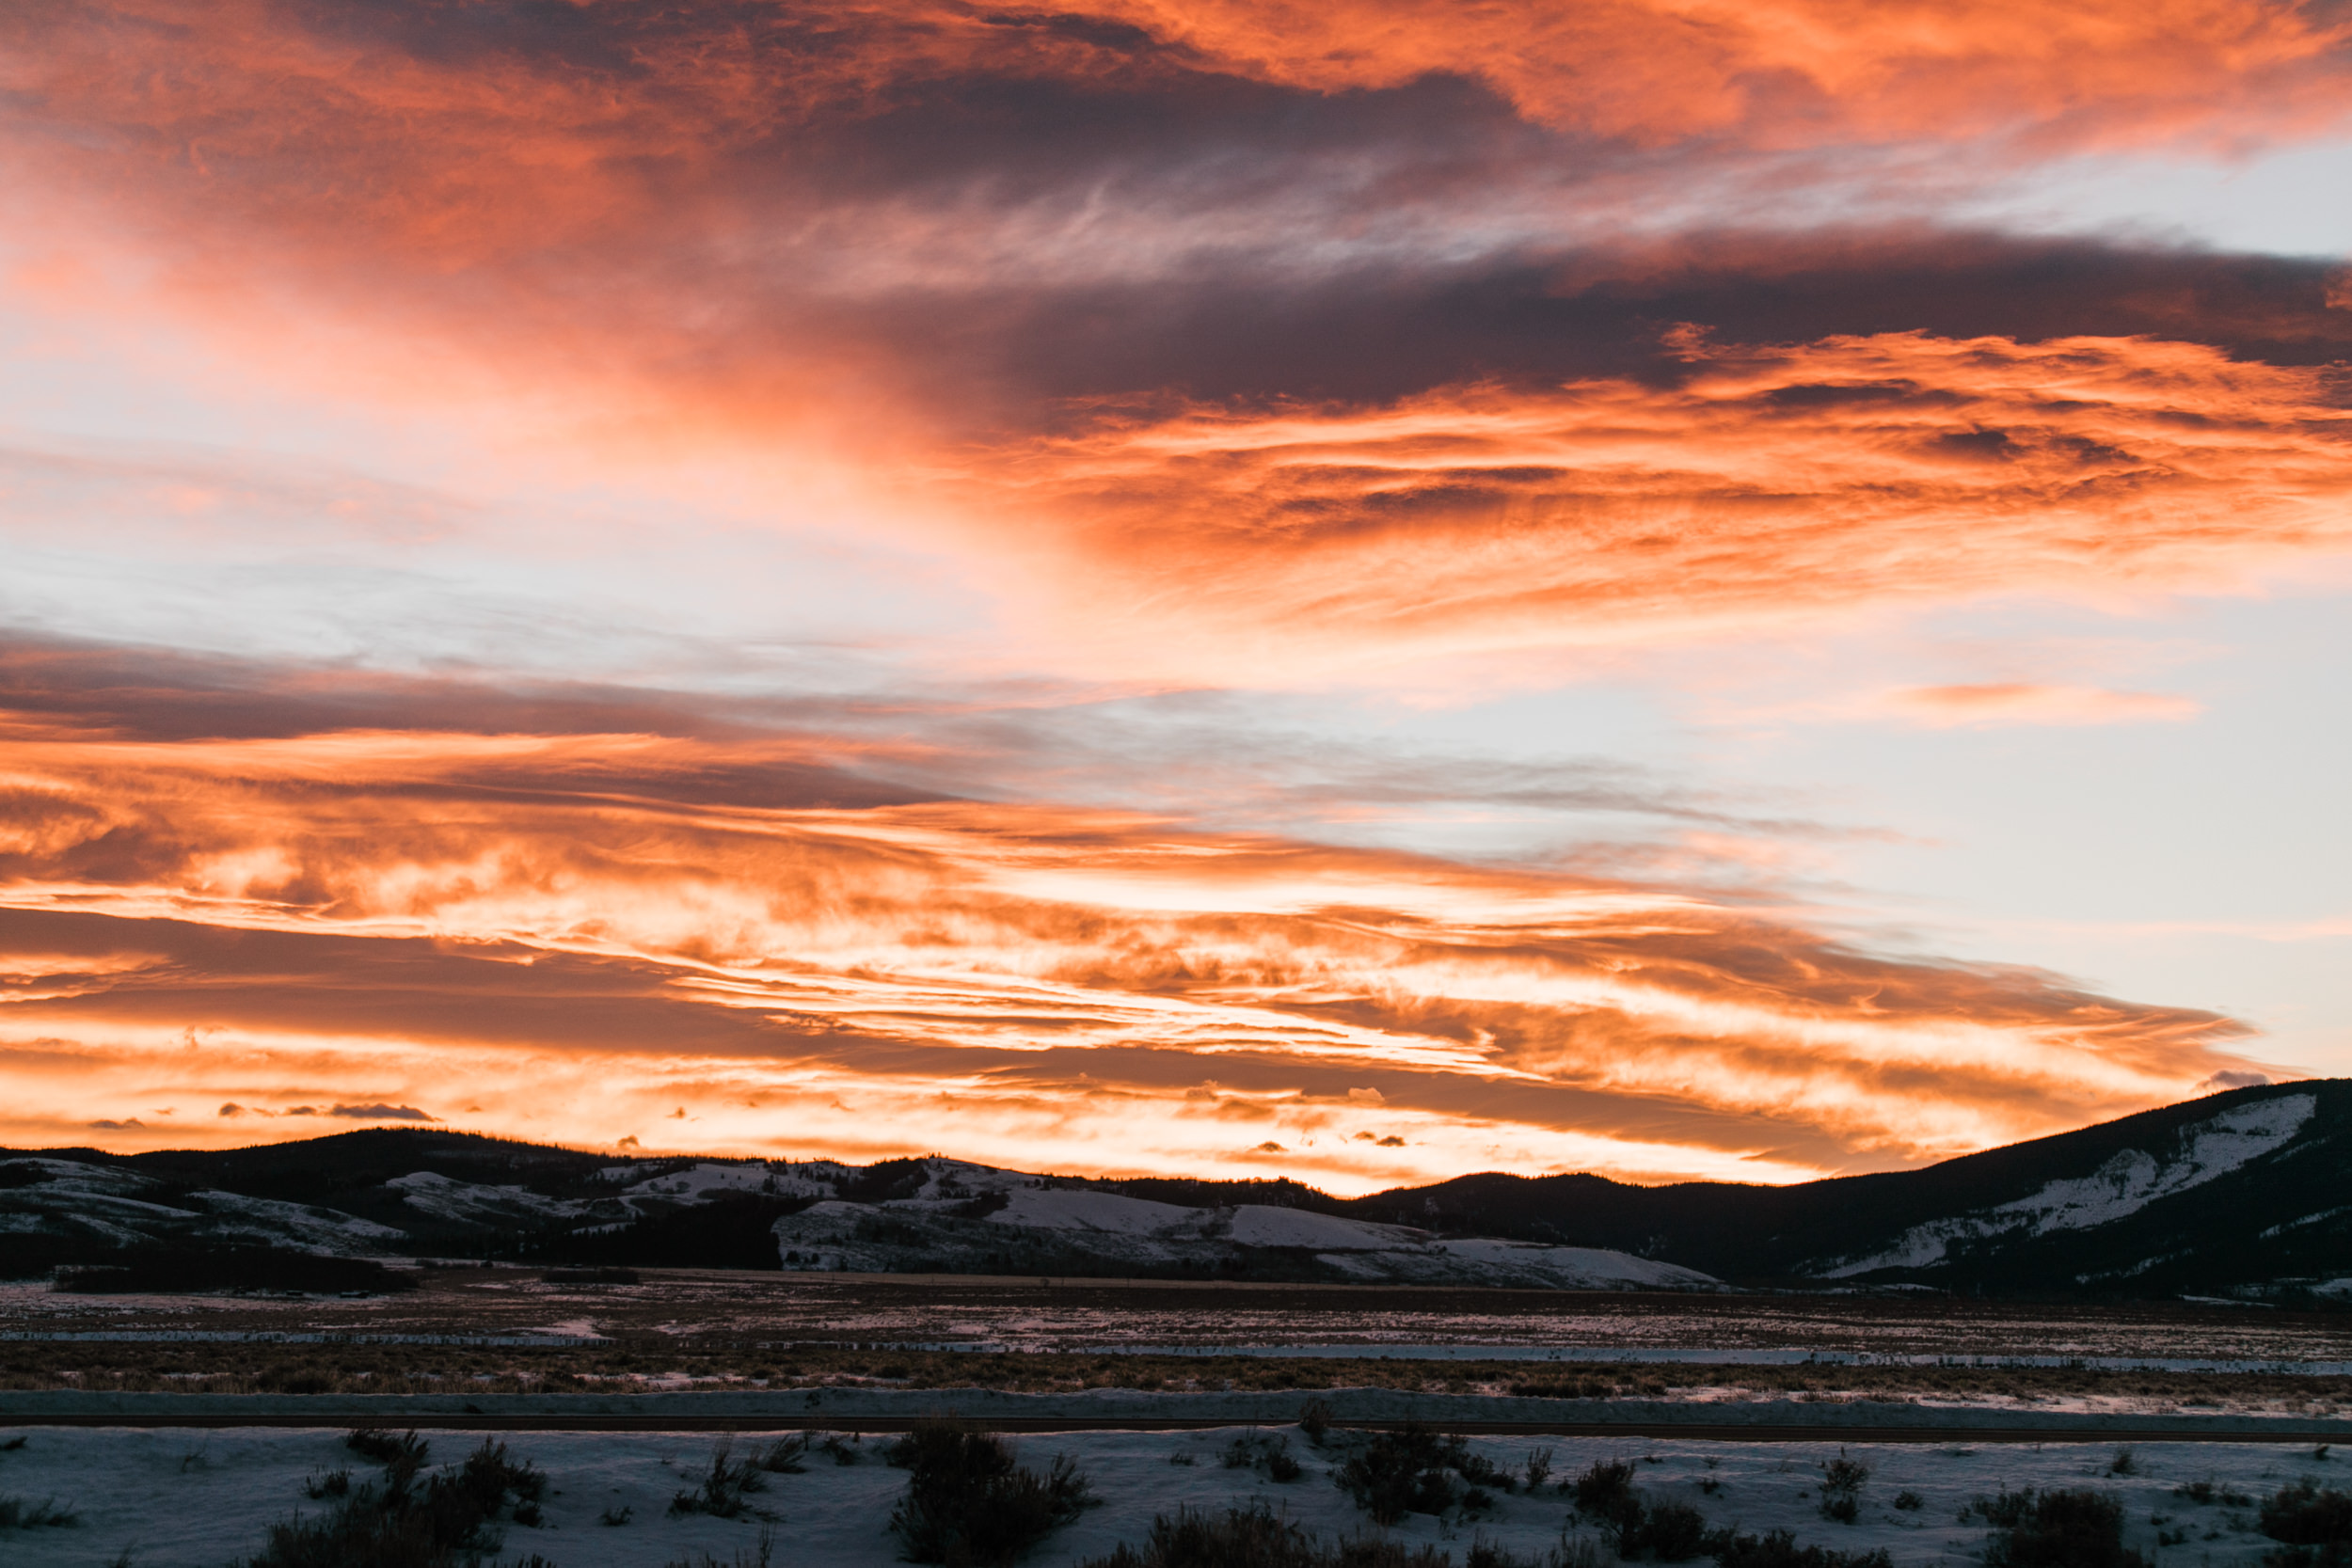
429	923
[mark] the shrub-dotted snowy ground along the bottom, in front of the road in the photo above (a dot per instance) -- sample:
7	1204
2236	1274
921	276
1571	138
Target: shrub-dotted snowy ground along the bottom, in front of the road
185	1499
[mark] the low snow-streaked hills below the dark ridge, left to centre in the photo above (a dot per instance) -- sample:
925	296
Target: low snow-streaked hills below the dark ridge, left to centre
900	1217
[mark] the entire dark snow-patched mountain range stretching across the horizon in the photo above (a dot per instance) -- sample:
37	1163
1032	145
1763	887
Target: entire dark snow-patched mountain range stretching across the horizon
2243	1193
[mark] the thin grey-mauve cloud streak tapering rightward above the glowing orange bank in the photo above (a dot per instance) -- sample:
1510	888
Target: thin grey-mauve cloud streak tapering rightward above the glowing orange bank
1189	751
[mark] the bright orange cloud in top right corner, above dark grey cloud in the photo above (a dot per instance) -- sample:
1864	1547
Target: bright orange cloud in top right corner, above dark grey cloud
1803	69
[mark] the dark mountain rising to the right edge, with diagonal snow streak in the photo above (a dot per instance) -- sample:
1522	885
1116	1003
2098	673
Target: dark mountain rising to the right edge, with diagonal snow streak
2224	1193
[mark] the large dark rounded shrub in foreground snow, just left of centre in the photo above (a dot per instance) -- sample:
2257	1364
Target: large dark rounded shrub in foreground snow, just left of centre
970	1503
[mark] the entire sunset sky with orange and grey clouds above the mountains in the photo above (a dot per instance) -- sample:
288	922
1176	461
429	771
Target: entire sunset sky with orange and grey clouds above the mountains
1351	591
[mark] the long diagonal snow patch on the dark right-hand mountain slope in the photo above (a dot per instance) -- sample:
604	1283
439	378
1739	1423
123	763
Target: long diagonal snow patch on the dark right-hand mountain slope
2120	1188
